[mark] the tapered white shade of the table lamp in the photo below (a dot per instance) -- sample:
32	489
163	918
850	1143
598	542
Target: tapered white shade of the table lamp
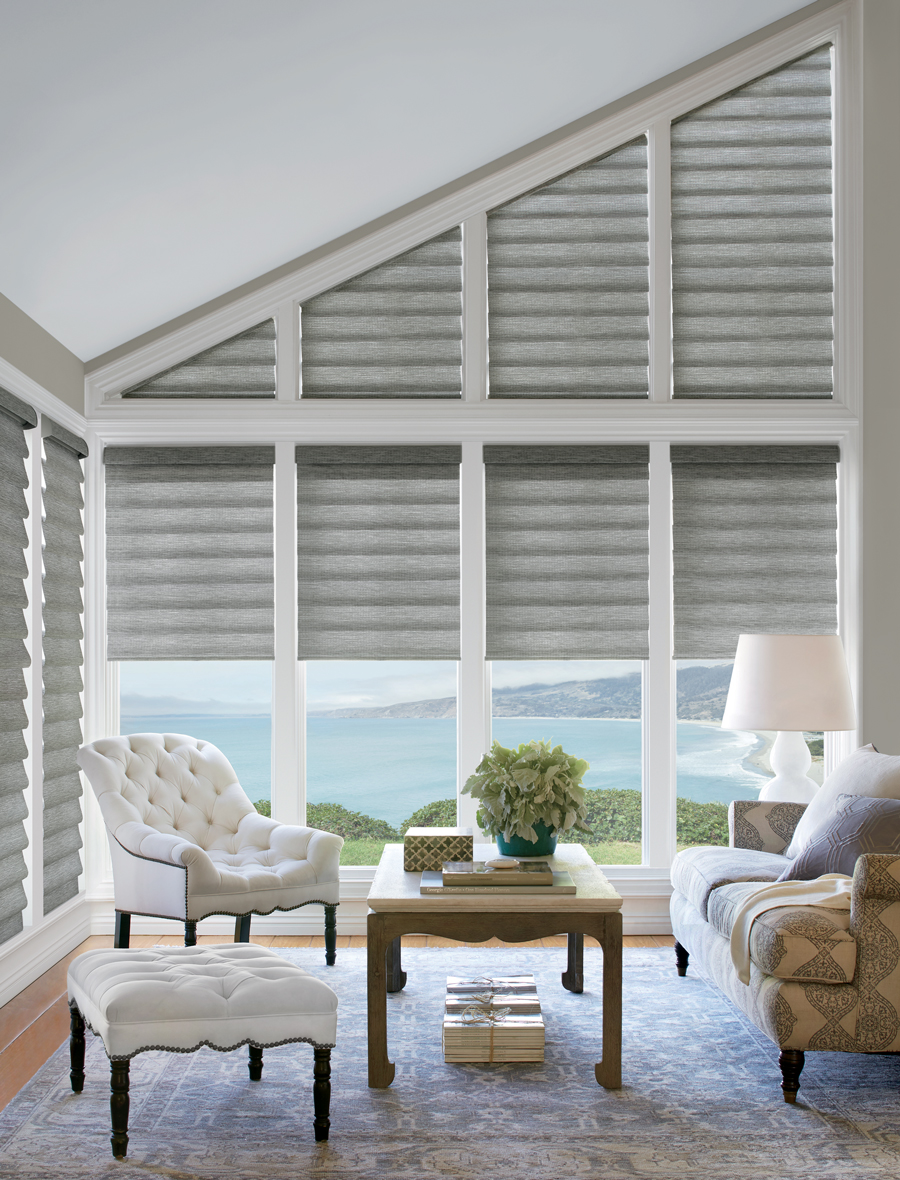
790	683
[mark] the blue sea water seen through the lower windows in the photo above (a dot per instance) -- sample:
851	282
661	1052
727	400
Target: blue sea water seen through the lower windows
387	768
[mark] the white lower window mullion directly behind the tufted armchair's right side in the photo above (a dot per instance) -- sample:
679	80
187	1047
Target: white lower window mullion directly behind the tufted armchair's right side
288	710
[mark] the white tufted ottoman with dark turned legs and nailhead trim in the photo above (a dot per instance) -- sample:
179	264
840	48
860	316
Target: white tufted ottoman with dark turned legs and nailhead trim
183	998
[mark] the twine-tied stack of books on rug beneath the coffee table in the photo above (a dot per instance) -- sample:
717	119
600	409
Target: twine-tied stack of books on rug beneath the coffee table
494	1020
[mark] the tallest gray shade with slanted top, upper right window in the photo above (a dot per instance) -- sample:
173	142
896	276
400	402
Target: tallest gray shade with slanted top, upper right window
753	239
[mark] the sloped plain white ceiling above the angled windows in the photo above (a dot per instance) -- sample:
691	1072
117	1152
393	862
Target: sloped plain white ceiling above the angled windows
156	154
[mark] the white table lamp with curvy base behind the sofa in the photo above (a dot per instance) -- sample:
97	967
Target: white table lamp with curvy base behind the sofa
790	684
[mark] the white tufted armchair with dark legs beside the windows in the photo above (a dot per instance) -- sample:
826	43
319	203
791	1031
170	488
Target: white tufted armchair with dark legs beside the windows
187	843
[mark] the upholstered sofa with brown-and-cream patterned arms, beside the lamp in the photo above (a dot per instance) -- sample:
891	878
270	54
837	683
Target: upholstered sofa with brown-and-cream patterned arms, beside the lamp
820	979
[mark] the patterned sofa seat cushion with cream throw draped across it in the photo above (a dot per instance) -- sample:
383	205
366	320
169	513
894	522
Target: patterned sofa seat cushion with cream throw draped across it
799	942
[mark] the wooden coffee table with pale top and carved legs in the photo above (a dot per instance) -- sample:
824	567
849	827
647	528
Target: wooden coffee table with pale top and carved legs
397	908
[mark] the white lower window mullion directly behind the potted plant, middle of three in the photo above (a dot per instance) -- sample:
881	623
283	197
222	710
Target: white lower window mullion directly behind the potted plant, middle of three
474	690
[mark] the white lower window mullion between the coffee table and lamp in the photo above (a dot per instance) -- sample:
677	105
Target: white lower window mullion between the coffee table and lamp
660	723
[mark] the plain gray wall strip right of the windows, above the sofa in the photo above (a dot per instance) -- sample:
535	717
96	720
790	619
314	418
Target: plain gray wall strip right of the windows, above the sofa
881	697
